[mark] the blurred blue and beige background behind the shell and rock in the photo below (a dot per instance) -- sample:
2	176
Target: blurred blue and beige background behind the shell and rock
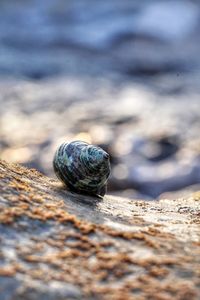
121	74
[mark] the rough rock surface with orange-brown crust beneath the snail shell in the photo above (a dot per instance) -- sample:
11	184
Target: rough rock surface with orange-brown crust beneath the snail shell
60	245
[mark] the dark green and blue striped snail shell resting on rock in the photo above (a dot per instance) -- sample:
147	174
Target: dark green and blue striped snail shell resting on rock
84	168
